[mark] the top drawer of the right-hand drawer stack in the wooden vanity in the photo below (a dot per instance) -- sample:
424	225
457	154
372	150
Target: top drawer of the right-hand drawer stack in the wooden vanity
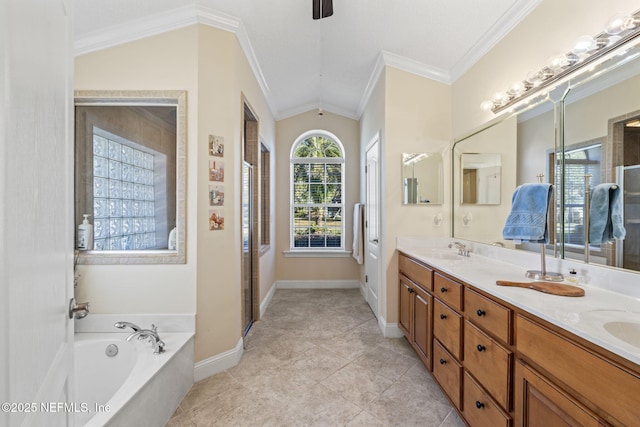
489	315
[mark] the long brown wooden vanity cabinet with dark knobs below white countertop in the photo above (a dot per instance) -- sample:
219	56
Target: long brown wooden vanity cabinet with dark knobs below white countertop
503	366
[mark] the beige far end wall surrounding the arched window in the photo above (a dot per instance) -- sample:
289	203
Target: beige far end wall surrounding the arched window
287	131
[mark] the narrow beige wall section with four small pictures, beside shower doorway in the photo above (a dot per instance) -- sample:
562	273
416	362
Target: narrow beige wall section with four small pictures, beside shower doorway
224	76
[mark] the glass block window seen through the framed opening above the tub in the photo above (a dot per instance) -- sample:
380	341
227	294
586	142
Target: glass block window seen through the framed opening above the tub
123	194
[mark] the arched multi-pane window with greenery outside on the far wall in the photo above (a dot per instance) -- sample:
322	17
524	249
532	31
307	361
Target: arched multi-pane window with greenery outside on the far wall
317	192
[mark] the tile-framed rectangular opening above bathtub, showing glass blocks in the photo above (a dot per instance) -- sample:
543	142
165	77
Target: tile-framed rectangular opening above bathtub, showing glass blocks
130	176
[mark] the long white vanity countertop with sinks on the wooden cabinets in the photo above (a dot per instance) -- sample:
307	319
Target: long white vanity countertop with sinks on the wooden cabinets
610	294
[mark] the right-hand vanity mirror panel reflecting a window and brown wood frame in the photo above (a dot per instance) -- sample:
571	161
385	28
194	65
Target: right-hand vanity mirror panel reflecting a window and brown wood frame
602	153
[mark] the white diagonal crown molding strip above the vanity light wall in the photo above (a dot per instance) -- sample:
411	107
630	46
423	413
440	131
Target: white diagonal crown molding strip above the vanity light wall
492	36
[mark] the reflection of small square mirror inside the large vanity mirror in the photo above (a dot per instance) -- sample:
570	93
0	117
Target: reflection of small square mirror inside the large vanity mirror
480	178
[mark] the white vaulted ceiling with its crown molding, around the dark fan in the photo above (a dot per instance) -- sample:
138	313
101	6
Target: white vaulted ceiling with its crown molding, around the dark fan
301	63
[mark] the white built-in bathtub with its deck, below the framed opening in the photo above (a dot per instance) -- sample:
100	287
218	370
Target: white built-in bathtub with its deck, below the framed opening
151	385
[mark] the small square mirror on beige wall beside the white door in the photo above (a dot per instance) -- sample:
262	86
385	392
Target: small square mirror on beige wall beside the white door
422	179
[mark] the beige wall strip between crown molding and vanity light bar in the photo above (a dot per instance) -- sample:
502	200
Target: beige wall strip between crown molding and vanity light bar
551	28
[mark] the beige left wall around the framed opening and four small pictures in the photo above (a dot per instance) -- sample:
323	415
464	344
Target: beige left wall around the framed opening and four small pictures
211	66
